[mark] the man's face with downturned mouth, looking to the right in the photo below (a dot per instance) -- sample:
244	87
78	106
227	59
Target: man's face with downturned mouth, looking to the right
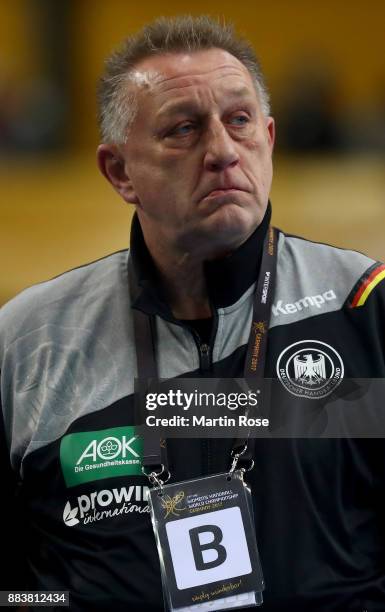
198	153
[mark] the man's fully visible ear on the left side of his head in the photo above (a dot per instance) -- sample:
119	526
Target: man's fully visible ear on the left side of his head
112	165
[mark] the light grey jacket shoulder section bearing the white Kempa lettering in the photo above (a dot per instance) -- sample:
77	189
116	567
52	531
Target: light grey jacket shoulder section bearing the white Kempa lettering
316	278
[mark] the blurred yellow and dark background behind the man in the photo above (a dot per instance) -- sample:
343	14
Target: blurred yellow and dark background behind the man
325	68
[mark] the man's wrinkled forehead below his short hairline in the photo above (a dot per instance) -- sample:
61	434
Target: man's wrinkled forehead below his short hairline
172	73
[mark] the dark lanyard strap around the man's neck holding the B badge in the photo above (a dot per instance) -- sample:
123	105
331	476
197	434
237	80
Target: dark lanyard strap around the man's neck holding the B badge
145	343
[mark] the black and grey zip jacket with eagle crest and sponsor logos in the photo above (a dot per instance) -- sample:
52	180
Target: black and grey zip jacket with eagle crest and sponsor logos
69	450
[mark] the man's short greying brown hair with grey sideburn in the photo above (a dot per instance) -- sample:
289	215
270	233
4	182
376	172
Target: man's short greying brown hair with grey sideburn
117	101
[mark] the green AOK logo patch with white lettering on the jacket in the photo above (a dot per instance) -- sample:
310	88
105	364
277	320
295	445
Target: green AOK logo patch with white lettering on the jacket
93	455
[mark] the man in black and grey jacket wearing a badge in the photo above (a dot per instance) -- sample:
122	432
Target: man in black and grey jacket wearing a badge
188	139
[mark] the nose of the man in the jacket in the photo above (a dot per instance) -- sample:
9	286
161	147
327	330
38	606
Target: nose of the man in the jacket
220	152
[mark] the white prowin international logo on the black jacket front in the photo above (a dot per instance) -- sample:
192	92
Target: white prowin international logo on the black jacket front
96	506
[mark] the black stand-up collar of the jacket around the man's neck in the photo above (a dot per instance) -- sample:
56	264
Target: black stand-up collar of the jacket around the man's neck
227	278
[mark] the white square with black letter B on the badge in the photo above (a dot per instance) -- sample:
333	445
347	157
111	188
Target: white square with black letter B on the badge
209	547
